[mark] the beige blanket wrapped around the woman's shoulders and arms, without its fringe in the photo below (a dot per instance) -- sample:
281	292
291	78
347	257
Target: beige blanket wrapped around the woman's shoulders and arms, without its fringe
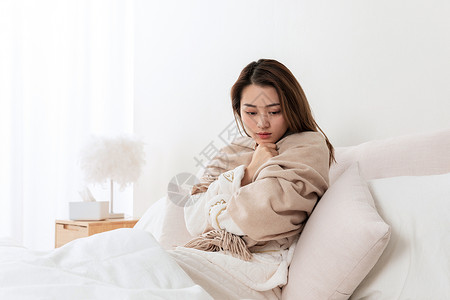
284	190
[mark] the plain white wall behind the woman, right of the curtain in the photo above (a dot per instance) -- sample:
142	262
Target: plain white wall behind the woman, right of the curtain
370	69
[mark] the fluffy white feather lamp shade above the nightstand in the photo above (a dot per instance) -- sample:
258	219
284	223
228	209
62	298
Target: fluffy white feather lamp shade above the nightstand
119	159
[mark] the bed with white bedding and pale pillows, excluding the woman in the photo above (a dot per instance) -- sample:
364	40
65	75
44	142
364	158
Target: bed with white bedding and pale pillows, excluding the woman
381	231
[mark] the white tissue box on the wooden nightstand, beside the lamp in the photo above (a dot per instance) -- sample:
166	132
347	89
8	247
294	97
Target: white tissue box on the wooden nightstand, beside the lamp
83	211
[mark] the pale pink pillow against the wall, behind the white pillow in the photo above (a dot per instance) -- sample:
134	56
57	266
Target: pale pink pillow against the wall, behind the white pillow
415	154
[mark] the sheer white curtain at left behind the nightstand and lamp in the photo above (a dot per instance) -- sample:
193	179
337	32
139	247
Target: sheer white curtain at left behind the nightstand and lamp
66	72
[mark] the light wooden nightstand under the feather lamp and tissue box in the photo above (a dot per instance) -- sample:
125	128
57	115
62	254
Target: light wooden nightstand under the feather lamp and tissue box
67	230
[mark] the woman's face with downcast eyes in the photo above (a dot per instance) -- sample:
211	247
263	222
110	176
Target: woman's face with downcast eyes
261	114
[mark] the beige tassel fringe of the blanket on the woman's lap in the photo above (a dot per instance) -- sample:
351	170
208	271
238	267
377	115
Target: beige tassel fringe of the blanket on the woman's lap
217	240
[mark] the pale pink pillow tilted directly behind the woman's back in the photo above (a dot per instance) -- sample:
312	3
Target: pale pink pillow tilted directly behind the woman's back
341	242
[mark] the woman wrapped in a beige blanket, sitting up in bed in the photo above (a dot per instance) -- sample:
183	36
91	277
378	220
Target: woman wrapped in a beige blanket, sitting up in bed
257	194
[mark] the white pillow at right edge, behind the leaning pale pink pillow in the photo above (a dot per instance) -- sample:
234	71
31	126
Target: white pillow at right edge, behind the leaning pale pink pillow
416	263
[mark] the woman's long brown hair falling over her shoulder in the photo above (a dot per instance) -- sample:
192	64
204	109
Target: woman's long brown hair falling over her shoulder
294	105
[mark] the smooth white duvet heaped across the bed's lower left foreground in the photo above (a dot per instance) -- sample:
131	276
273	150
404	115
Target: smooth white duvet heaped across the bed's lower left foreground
119	264
